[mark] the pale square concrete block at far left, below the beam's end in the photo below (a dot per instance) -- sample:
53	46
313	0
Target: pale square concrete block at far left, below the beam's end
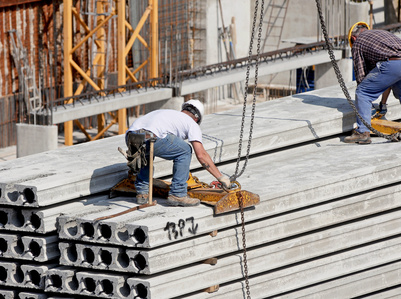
32	139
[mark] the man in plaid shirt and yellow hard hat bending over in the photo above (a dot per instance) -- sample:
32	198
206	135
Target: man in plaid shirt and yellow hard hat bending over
376	56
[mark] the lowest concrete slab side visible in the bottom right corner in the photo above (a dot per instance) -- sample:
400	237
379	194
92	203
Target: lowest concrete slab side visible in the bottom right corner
370	281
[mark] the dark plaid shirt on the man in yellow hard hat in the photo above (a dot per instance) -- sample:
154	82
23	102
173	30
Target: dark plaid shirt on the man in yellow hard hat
372	46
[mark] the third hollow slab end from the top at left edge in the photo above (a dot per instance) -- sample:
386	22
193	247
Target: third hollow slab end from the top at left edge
36	248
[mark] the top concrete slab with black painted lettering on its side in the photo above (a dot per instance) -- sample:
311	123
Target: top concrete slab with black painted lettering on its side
292	179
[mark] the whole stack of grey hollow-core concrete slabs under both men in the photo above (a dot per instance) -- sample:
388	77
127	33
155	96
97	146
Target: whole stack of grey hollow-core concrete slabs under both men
328	223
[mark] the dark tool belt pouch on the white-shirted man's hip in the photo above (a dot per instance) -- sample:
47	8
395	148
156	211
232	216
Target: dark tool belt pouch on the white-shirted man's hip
136	153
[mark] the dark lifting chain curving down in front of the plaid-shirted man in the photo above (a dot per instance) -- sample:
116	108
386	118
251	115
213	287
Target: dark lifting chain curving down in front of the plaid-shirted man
393	137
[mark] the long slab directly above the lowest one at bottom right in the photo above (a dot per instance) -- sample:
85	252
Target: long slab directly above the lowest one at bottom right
290	279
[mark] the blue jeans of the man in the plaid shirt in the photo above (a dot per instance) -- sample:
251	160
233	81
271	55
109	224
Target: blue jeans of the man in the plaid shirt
386	74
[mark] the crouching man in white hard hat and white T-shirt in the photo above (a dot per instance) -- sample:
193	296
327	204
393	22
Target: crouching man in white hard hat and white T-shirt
171	128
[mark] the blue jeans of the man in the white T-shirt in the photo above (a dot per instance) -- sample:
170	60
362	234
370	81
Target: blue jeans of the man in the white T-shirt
170	148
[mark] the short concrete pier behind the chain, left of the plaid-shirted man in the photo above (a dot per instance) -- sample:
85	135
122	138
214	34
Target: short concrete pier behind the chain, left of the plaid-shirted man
325	75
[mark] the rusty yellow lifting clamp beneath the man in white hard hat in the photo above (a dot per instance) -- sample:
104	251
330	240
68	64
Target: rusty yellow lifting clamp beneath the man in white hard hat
223	200
